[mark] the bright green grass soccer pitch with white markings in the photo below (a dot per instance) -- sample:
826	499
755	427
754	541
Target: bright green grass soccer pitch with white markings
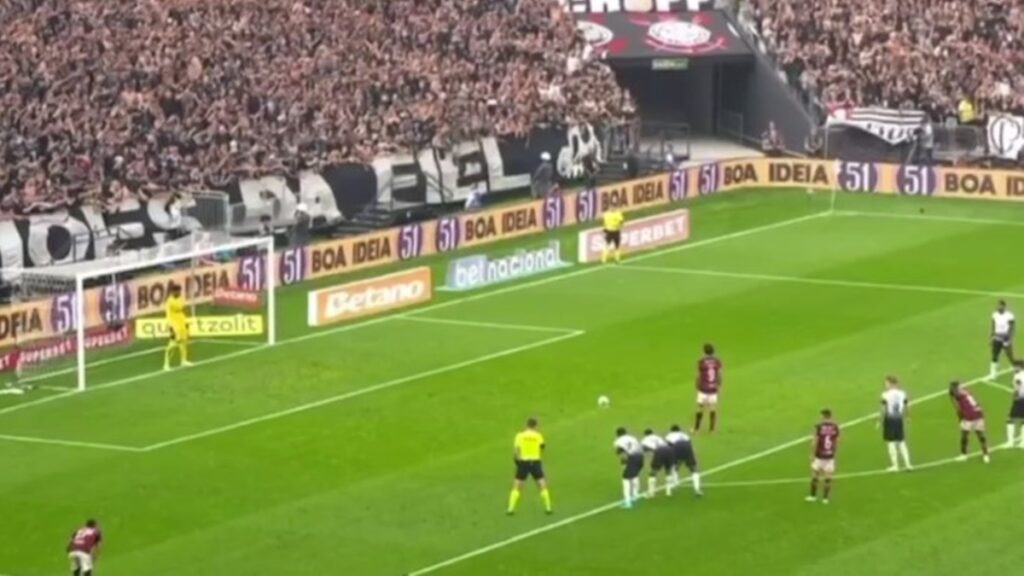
385	447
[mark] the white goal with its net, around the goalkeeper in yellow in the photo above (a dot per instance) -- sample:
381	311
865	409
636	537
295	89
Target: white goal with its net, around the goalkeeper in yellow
103	321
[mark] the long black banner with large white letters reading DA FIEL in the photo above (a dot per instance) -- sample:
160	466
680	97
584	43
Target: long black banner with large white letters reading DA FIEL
337	193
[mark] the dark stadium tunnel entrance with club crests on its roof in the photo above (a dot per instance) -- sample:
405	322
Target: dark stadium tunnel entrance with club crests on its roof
697	76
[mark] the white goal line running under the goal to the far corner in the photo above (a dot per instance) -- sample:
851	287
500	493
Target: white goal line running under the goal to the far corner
320	335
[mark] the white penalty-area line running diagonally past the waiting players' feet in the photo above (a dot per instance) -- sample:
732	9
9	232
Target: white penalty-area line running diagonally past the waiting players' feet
615	506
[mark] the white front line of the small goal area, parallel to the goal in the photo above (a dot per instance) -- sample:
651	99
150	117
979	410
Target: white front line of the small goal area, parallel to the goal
361	392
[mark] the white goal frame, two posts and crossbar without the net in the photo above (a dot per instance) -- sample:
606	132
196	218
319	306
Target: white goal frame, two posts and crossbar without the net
264	244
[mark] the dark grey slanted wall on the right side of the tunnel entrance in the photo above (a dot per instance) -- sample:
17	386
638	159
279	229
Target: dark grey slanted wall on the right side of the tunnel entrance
756	92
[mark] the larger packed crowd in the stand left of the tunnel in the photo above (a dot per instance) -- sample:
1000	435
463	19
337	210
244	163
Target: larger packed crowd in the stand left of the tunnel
103	100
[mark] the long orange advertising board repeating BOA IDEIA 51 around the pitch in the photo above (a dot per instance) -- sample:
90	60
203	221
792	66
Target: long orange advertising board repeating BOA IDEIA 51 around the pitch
53	318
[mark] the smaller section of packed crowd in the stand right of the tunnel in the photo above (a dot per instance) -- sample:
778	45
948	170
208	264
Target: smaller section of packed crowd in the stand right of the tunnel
925	55
